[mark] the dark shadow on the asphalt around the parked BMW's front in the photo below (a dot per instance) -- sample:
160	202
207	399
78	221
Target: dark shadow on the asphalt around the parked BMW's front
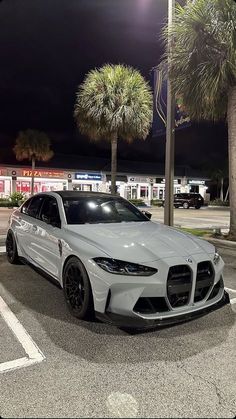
104	344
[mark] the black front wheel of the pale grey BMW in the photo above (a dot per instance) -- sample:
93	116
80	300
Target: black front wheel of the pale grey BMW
77	289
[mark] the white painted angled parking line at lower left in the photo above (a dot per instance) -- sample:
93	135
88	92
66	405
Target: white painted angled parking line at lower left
34	354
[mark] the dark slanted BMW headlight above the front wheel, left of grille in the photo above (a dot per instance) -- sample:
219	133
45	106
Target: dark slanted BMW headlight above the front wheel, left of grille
119	267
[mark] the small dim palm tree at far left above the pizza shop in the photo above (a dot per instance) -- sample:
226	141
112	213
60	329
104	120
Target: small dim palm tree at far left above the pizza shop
32	145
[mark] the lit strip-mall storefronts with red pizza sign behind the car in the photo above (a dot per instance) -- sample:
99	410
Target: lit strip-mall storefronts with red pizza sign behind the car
129	185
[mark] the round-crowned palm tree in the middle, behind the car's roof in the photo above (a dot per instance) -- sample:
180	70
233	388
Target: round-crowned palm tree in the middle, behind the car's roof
114	102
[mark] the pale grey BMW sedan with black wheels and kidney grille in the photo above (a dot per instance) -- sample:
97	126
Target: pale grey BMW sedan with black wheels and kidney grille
112	260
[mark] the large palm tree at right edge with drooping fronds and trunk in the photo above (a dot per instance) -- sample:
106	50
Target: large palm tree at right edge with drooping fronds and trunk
203	70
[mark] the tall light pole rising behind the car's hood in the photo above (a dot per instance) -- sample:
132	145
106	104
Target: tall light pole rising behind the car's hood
170	134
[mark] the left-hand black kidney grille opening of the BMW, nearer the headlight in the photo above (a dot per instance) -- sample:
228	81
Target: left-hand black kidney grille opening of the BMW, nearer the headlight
179	285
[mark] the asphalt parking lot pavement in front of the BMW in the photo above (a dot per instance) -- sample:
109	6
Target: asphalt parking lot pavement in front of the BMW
89	369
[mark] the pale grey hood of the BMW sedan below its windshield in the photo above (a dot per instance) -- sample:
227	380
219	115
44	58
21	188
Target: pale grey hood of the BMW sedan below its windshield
140	241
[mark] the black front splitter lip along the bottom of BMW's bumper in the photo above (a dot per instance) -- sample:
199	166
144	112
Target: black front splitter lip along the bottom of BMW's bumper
138	322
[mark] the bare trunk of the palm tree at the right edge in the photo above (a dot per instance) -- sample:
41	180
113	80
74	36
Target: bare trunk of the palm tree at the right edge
232	158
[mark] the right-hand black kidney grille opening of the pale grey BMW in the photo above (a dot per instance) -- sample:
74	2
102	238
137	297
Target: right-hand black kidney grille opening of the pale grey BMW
204	280
